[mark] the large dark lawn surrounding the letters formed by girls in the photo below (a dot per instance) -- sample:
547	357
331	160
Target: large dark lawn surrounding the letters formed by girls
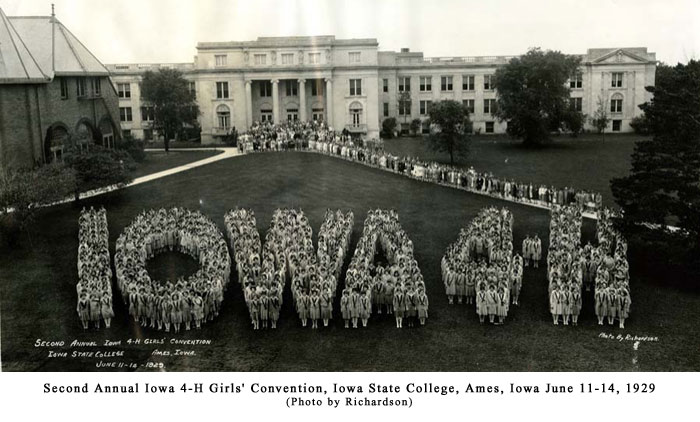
37	285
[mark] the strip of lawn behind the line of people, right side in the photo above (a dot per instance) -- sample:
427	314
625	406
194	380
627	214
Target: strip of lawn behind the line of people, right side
586	162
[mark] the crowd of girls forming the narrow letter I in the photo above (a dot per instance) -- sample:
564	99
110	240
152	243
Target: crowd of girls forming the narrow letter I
94	269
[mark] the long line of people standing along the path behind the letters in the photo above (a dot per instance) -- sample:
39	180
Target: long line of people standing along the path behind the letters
319	138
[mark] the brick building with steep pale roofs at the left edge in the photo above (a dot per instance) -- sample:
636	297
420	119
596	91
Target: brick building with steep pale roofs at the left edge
53	92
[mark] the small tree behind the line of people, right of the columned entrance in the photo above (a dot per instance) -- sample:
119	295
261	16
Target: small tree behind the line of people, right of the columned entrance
452	126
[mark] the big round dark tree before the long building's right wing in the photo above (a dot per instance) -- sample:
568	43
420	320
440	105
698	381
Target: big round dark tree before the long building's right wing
533	95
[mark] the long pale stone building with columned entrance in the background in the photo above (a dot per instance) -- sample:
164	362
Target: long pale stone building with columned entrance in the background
352	85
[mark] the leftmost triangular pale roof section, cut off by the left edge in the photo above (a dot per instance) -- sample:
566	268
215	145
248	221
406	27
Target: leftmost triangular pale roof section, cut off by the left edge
17	65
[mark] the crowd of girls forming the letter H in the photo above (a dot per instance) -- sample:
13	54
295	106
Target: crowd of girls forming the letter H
573	269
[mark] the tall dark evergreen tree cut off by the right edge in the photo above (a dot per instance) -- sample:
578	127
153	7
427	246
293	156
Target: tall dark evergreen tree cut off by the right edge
663	187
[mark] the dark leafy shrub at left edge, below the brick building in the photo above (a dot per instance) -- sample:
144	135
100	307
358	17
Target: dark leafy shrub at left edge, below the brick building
23	191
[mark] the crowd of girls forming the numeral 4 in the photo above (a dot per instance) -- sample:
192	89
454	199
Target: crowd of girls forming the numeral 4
480	268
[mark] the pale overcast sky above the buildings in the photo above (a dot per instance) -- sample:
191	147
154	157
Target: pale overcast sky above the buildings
160	31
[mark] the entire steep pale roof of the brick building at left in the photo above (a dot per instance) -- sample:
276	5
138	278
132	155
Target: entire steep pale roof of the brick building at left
43	48
